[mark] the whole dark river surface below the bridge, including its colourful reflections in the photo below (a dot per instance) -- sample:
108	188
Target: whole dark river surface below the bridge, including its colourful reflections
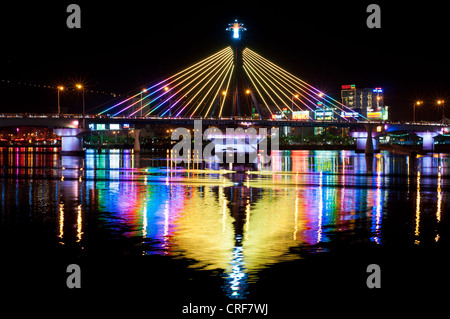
302	230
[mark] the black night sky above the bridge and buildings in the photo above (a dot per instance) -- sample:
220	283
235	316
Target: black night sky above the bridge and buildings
123	45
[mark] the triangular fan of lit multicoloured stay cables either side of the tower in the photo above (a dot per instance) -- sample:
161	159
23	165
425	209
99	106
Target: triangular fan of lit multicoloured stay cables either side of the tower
217	87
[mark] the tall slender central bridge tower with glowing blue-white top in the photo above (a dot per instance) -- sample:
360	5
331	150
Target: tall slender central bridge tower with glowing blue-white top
237	28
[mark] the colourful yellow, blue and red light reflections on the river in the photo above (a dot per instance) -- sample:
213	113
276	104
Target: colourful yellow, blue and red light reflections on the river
233	223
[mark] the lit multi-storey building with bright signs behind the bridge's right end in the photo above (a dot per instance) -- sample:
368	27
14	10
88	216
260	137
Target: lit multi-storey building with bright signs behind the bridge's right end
368	102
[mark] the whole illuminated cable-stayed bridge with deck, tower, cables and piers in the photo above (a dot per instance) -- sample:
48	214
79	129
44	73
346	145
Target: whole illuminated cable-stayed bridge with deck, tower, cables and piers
232	87
